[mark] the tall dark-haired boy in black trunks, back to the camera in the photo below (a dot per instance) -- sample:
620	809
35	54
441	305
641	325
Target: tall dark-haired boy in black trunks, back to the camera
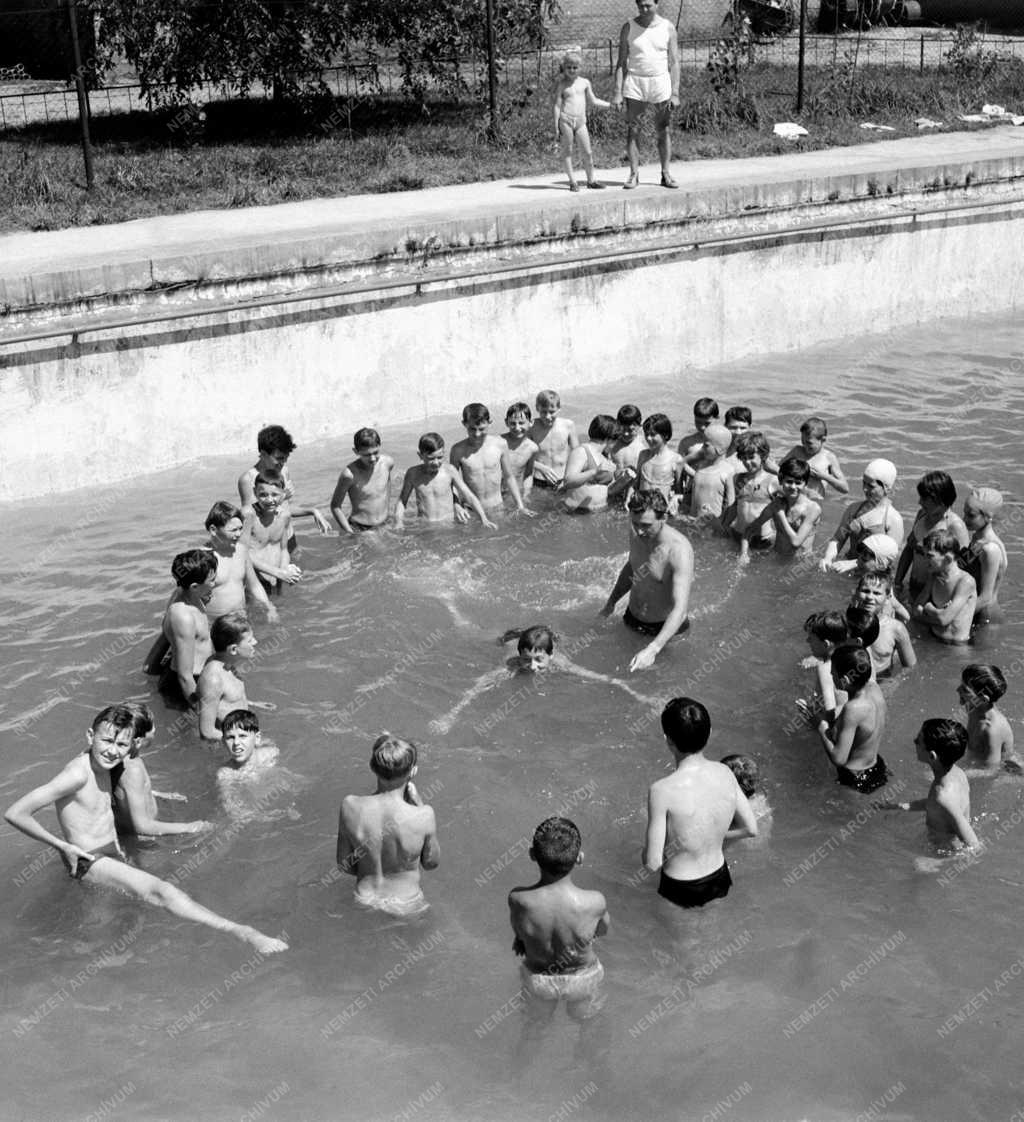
693	813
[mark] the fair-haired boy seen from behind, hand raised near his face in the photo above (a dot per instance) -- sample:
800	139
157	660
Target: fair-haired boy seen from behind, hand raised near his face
384	839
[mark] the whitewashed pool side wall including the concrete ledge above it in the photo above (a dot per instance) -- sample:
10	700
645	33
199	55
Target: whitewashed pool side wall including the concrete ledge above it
140	360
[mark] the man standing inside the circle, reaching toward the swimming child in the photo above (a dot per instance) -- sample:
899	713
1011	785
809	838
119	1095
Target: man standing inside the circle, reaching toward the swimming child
658	576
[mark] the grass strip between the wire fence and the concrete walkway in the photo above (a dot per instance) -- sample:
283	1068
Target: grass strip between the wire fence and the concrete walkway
250	154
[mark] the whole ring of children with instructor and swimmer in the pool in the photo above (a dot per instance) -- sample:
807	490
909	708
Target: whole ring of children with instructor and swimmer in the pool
721	476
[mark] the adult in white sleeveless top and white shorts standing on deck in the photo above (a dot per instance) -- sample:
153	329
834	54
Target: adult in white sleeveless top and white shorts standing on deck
648	73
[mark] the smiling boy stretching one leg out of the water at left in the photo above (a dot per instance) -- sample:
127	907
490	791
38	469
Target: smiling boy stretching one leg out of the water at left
89	849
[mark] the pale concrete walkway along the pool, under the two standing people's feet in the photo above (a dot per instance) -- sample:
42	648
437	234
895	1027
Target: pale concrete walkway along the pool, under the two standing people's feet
52	270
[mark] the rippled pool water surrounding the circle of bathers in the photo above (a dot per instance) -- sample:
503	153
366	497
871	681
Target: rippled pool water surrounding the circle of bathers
835	981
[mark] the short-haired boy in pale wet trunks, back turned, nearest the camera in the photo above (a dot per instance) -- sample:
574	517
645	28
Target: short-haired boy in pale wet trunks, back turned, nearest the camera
556	924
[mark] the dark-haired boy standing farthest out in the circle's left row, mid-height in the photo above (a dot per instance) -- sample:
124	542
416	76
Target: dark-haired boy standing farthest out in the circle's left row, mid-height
187	627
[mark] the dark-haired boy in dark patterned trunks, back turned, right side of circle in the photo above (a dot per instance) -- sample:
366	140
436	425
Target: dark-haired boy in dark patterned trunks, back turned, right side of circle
852	743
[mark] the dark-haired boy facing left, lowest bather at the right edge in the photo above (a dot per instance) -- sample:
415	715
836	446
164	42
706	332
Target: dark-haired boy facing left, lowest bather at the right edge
947	807
